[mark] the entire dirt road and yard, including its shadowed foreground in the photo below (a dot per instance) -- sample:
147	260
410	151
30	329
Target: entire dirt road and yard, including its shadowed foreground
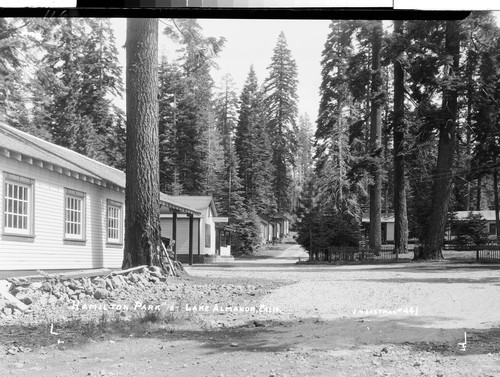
306	320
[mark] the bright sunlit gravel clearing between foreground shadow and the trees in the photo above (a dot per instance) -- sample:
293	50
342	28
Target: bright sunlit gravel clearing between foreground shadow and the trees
443	294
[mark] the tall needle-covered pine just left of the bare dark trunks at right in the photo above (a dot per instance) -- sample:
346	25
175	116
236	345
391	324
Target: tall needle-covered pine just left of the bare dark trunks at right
335	124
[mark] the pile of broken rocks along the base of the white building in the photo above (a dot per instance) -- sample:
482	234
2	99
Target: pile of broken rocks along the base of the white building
20	293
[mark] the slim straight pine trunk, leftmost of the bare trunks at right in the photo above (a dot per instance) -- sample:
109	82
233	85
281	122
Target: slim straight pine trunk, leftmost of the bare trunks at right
375	189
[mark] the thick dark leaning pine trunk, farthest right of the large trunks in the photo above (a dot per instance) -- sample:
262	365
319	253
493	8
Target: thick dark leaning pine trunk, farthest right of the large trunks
434	239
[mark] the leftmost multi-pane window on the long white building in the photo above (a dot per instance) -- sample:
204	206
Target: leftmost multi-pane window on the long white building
18	205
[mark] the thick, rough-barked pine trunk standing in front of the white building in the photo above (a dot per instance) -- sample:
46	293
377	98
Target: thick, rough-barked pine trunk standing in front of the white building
142	196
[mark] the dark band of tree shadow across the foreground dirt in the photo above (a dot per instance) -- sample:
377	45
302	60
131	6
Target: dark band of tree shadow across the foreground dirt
261	336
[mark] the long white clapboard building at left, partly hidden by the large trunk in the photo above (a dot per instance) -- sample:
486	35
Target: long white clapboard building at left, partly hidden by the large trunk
60	209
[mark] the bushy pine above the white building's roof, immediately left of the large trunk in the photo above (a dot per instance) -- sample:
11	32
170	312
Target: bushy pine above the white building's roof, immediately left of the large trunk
79	74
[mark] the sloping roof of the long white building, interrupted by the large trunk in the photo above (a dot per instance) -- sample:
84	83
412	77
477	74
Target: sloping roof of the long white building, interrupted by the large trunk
32	150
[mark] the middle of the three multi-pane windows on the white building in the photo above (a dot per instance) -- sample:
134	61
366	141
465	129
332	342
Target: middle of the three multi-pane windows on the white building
74	215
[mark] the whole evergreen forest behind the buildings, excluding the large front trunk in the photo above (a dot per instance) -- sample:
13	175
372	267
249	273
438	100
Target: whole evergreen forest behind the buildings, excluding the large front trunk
408	122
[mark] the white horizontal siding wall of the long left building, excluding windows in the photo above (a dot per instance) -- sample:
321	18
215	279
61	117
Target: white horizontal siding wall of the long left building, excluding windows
48	250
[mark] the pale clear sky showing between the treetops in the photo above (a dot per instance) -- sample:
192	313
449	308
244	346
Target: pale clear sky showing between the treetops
252	42
